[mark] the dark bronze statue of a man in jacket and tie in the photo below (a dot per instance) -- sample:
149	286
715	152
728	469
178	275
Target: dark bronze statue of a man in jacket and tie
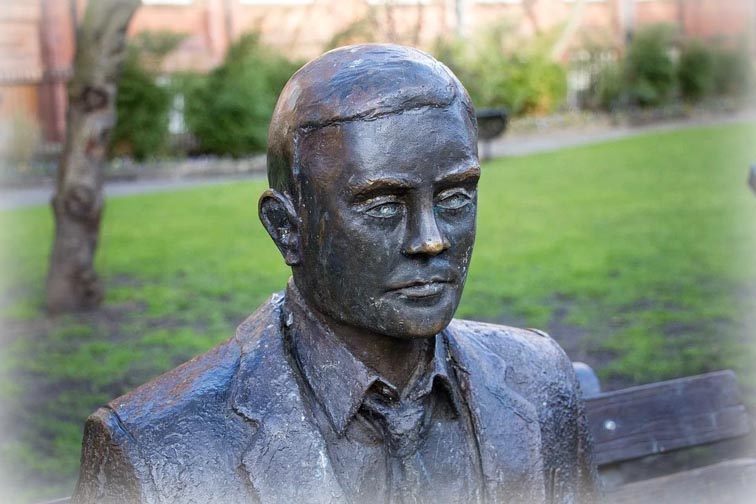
355	384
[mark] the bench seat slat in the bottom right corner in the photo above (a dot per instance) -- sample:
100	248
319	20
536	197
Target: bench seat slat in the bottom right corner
729	482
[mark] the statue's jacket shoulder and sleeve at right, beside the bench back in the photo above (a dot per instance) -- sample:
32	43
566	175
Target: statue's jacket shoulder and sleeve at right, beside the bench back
531	364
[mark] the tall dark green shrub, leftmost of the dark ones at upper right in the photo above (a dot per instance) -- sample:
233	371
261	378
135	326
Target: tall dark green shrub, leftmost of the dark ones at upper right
649	69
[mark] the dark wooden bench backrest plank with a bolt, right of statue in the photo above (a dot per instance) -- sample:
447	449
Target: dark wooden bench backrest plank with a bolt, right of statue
664	416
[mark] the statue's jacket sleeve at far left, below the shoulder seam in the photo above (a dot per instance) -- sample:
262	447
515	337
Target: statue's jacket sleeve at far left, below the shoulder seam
109	468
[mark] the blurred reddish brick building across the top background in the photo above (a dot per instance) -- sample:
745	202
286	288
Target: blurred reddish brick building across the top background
37	36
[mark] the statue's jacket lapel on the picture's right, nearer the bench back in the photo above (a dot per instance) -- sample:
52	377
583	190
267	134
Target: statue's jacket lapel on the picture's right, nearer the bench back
506	425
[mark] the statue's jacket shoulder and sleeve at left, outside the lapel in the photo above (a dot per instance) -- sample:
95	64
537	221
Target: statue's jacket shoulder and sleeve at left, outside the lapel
155	443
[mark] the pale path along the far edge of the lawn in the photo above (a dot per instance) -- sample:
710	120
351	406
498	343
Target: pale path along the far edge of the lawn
509	145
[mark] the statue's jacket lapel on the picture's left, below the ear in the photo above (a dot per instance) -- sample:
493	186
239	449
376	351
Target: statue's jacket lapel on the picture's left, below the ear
286	460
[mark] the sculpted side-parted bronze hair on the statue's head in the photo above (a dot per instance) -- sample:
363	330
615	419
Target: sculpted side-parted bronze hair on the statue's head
362	82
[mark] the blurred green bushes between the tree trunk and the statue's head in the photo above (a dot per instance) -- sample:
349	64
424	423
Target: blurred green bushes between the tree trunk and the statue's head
225	112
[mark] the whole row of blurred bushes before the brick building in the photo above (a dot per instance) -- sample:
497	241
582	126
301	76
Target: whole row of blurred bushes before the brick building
226	111
